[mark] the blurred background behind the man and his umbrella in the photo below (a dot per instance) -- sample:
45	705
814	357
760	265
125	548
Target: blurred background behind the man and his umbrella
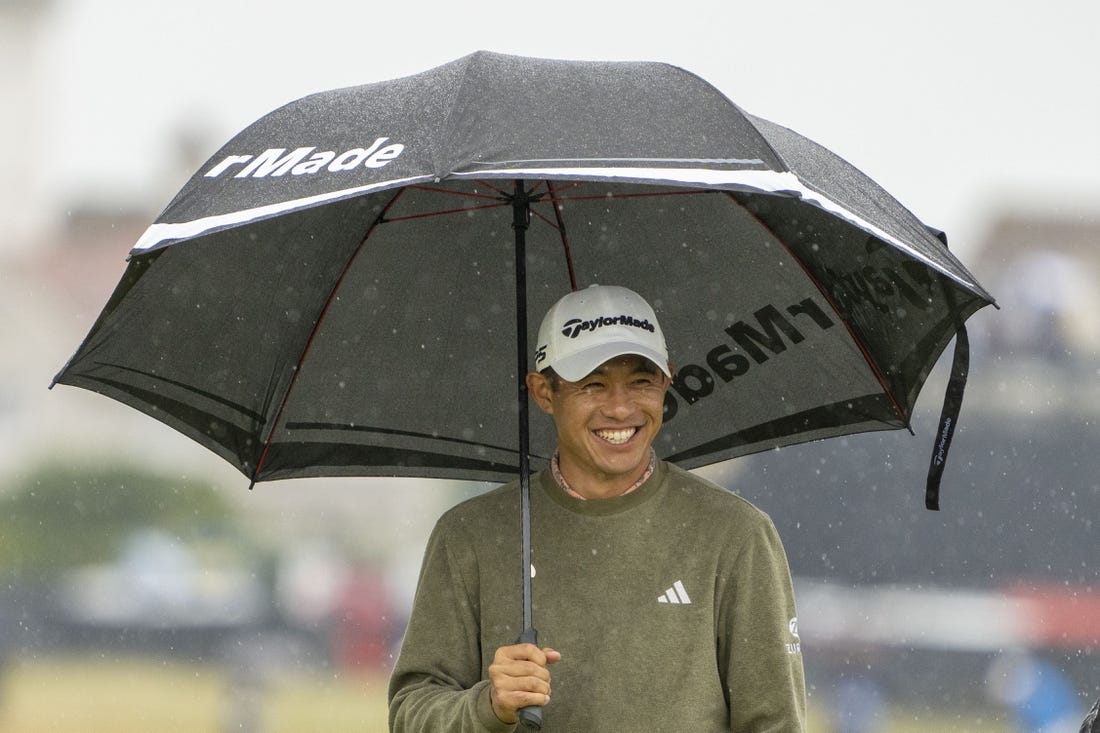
144	587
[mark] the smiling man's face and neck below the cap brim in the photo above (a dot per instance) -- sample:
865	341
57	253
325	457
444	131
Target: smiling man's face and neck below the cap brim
607	423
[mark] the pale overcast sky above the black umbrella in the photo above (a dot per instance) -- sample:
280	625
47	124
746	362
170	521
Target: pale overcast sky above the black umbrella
958	108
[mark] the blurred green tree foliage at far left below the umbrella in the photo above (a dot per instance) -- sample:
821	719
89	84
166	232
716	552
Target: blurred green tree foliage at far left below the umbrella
59	517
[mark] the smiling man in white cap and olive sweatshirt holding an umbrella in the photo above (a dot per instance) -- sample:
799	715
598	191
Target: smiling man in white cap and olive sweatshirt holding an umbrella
666	601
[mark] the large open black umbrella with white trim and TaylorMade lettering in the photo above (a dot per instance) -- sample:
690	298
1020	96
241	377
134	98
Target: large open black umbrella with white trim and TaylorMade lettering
340	289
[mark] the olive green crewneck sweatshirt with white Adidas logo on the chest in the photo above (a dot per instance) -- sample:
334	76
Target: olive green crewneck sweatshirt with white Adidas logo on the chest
672	607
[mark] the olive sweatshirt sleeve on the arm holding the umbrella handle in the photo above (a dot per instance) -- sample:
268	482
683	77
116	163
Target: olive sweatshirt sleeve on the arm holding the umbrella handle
437	683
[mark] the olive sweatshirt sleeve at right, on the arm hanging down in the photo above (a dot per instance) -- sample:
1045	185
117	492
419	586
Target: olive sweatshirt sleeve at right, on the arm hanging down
760	651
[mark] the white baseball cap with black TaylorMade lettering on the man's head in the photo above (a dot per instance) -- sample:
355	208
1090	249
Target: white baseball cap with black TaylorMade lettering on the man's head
586	329
